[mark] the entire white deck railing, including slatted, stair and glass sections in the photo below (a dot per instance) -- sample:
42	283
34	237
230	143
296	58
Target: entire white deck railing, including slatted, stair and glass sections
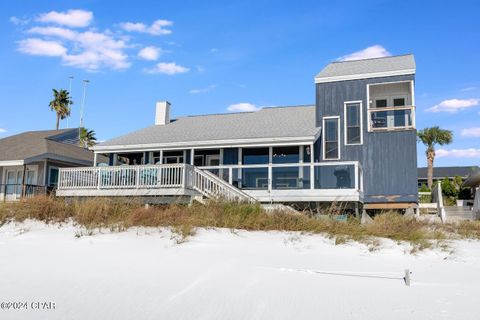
224	181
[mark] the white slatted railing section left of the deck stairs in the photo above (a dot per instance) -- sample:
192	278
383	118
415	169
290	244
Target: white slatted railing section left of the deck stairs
123	177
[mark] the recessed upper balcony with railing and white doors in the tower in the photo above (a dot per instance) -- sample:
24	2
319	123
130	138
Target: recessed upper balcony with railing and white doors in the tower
391	106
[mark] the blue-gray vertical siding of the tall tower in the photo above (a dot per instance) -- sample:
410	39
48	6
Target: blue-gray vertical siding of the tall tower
389	159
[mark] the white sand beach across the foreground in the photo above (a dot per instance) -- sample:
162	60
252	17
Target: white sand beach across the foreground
144	274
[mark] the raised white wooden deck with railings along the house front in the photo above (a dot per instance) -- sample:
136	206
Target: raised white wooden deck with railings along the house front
184	180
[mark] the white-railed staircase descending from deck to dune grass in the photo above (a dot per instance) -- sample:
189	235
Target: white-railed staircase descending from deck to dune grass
212	187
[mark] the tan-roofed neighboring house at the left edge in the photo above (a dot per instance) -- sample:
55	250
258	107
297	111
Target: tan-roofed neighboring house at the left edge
29	161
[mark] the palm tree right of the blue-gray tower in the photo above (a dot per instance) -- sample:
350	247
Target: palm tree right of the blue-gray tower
431	137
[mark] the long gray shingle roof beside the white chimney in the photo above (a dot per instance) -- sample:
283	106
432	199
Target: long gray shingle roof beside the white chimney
274	122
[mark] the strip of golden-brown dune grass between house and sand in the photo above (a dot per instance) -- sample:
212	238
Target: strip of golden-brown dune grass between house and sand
101	213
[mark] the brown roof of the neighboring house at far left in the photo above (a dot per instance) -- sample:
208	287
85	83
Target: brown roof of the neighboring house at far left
36	145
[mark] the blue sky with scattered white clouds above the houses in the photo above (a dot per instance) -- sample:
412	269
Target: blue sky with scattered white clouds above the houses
207	58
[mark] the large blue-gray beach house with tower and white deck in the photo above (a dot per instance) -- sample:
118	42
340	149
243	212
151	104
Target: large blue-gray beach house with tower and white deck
356	144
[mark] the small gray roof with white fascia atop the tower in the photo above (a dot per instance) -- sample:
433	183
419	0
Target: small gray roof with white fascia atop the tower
367	68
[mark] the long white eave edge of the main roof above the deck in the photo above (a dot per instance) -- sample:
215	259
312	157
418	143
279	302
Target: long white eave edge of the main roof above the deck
209	144
